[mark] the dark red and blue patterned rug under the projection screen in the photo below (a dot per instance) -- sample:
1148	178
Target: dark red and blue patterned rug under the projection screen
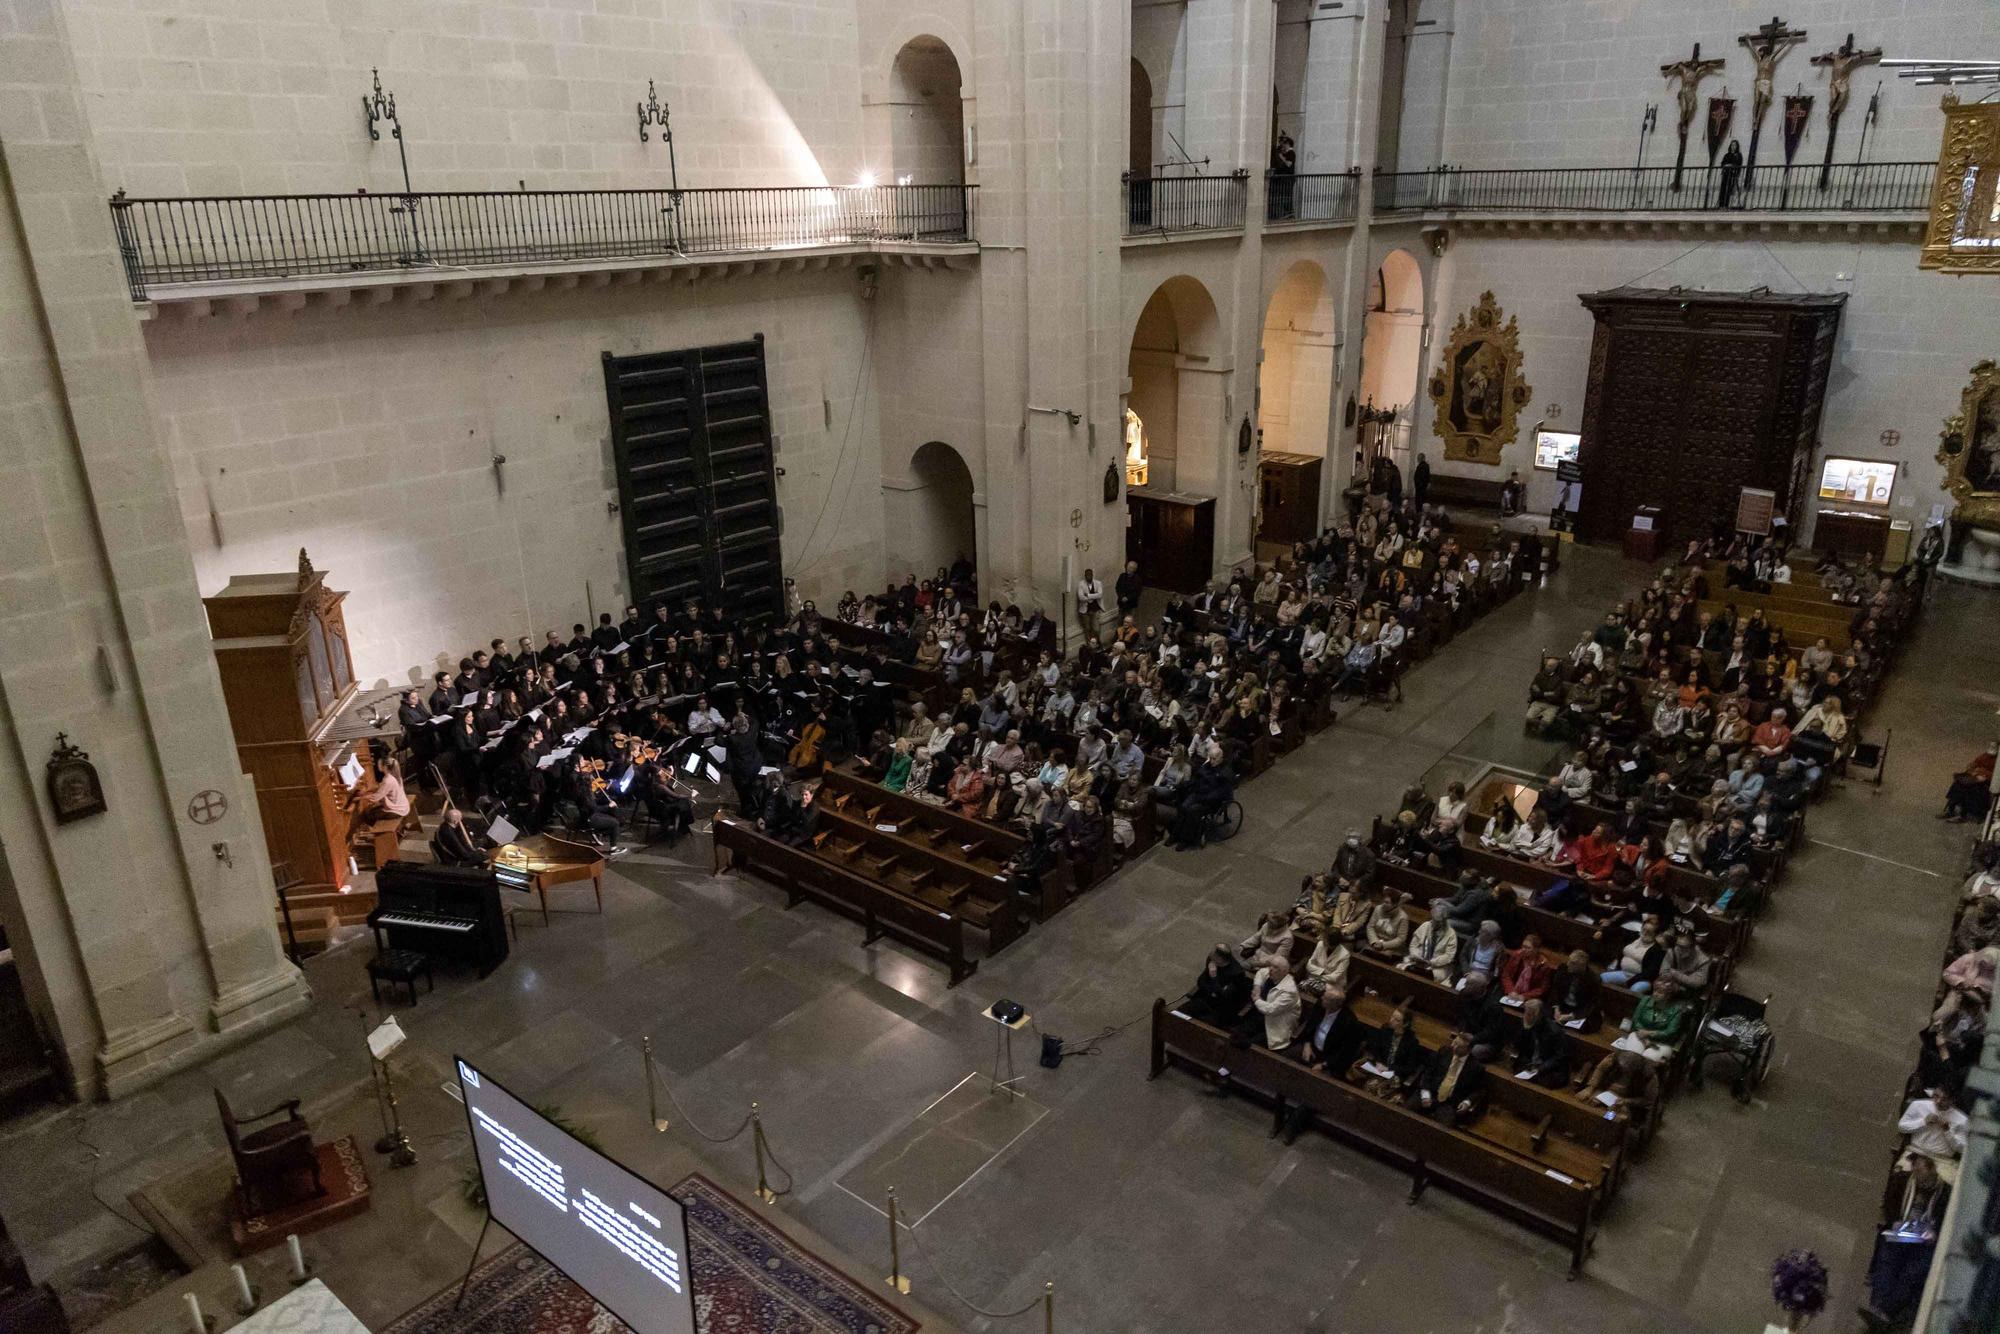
749	1279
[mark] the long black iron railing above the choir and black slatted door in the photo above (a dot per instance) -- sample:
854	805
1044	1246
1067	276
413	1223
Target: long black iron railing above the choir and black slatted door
169	241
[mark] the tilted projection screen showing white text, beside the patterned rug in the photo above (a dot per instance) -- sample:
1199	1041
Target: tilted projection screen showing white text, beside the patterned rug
619	1237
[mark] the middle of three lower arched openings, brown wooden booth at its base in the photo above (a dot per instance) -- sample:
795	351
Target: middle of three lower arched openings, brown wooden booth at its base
1293	403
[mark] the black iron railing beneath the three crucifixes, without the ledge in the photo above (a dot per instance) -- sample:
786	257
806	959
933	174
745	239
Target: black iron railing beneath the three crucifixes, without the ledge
1845	187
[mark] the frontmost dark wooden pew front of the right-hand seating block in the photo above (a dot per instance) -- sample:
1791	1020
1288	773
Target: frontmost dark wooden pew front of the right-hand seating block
1519	1187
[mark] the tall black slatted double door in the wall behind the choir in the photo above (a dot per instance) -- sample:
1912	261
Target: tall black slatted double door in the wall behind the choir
697	487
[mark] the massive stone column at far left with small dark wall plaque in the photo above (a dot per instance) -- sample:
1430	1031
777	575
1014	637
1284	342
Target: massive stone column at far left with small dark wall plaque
155	937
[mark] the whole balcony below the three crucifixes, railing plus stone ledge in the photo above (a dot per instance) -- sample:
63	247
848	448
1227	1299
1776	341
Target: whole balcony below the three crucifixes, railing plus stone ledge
1721	199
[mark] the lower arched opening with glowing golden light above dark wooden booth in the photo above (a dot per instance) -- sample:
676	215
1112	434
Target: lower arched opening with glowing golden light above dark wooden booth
1173	437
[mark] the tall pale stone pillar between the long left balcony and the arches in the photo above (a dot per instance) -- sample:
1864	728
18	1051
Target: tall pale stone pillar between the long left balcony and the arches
1051	149
